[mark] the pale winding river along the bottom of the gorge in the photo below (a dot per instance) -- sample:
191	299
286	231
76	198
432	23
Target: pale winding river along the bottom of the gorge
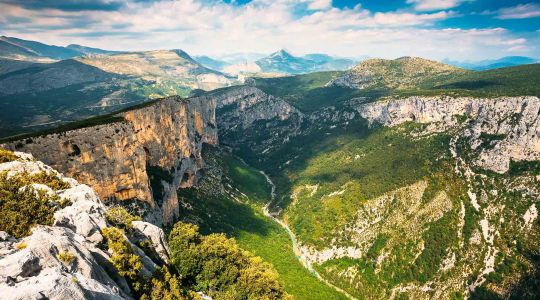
301	257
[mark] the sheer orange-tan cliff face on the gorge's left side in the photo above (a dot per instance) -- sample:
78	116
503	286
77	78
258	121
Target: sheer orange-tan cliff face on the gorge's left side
150	154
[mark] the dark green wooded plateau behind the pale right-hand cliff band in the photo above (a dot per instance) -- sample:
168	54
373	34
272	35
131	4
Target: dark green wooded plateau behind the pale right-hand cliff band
309	92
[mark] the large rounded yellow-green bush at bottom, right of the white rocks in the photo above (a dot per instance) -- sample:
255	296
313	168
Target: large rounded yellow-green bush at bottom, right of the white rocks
215	265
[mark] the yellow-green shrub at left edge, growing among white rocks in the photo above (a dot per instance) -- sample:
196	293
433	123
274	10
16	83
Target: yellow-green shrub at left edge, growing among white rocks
22	206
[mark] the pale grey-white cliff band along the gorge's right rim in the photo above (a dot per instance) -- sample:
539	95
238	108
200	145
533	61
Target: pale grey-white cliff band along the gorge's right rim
509	125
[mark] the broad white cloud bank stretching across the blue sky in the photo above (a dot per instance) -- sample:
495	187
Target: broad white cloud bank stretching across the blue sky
262	26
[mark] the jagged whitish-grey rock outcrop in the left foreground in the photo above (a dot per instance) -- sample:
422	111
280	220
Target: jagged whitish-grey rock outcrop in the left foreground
32	267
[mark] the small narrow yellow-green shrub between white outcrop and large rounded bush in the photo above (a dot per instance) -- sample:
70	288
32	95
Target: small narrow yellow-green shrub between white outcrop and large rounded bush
124	259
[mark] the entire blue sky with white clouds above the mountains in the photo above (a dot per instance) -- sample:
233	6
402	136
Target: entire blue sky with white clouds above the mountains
436	29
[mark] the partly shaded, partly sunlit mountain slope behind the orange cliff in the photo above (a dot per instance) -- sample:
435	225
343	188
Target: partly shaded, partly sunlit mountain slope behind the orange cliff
38	96
